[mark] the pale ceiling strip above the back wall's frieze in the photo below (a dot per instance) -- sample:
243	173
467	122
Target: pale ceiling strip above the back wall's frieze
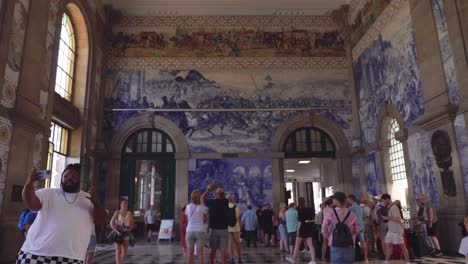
224	7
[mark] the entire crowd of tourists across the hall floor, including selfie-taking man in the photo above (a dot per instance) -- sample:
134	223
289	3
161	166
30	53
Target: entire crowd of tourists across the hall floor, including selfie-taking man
60	226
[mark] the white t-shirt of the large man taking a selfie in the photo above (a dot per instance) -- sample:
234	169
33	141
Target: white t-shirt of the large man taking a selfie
62	227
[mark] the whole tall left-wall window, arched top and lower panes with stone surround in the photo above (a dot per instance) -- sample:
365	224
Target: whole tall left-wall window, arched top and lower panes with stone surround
71	84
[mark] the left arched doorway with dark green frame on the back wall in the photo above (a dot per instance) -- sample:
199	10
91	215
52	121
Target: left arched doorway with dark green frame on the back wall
148	172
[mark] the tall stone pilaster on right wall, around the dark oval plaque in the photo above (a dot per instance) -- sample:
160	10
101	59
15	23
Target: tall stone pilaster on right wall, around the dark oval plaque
439	113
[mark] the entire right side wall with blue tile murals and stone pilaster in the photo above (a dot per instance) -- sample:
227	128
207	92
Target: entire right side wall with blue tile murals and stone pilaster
405	61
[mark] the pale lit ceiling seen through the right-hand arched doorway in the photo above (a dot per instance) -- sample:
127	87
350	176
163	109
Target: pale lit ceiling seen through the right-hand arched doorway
305	172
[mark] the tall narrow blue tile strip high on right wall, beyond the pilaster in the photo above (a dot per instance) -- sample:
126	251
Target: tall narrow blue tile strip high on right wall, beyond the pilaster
447	52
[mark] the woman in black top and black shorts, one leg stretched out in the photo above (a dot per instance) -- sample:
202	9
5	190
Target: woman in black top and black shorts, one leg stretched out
306	227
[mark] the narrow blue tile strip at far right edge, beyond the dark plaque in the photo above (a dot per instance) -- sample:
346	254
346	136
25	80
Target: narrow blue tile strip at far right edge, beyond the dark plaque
461	133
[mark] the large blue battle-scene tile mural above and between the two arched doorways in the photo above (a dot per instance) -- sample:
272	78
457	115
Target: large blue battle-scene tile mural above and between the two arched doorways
270	99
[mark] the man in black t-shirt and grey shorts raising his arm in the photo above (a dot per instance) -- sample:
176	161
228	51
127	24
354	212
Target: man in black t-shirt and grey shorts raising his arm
218	222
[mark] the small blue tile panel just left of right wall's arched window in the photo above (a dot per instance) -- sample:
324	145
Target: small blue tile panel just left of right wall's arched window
372	169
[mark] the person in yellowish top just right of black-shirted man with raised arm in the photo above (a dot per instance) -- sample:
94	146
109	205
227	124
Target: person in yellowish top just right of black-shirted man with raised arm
234	229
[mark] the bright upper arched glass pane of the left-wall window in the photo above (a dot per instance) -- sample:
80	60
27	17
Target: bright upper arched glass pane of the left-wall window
66	59
